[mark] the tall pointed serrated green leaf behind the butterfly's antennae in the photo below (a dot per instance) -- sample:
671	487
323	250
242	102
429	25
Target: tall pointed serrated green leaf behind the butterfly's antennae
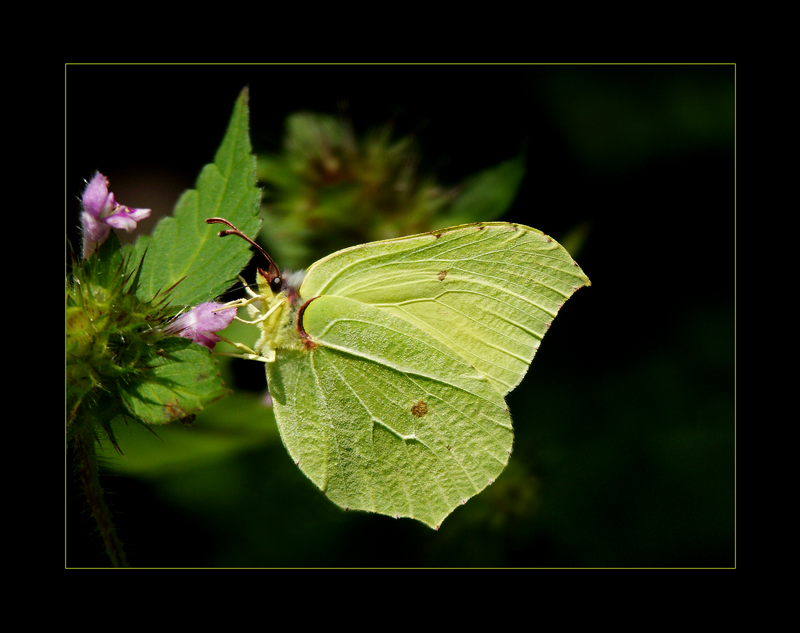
184	247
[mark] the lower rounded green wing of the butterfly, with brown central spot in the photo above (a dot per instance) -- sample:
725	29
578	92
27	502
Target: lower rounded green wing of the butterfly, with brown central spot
385	417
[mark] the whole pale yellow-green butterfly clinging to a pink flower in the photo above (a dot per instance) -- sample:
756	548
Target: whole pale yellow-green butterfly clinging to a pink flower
389	363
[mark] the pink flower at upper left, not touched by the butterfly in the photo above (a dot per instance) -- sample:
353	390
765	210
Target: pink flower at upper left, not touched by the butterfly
101	212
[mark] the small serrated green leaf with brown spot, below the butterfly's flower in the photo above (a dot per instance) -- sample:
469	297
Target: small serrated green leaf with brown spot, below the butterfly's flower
181	378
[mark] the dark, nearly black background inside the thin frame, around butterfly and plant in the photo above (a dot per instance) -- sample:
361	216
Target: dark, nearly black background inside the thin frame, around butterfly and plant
625	438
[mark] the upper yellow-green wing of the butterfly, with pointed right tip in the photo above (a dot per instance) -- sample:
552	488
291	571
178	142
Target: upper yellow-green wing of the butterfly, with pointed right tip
488	291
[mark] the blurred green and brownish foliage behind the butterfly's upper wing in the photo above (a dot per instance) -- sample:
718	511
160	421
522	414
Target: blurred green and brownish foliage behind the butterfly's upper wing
329	190
